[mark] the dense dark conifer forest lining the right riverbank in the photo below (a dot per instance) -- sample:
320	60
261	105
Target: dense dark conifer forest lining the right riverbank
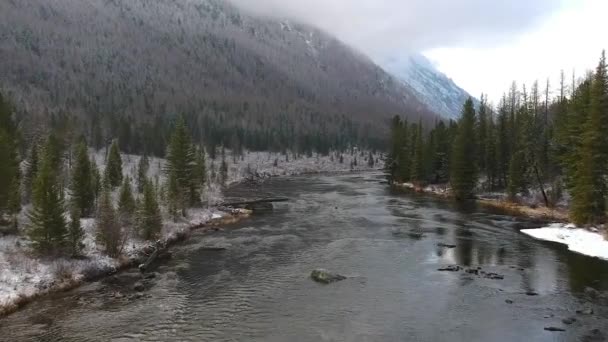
529	141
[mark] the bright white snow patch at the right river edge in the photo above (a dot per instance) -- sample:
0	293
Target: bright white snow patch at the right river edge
578	240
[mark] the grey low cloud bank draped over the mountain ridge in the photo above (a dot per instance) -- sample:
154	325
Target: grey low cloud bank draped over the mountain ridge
382	28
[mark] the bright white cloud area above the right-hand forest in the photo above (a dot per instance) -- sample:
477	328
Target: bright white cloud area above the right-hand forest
571	39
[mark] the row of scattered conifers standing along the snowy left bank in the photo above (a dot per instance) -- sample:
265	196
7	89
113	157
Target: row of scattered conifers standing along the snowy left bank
59	183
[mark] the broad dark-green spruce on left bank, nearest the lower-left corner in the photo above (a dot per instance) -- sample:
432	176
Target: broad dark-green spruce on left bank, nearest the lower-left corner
48	223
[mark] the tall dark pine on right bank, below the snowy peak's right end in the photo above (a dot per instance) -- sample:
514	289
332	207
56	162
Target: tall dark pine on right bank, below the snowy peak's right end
463	175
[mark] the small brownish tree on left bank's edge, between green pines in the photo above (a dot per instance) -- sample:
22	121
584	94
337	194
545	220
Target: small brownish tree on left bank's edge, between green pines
109	231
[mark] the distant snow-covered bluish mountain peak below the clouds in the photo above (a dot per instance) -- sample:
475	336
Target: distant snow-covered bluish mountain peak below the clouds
432	87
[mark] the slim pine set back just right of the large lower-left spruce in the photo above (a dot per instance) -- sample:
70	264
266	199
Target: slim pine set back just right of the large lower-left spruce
82	187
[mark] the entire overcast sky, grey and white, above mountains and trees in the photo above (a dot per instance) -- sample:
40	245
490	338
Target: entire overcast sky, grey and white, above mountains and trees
482	44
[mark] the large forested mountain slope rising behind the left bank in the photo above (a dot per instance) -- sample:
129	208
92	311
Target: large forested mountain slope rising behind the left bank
125	66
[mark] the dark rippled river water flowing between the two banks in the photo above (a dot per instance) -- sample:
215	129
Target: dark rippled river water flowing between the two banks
386	243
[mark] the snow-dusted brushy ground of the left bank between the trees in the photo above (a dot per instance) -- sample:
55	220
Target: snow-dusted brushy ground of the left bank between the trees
24	275
